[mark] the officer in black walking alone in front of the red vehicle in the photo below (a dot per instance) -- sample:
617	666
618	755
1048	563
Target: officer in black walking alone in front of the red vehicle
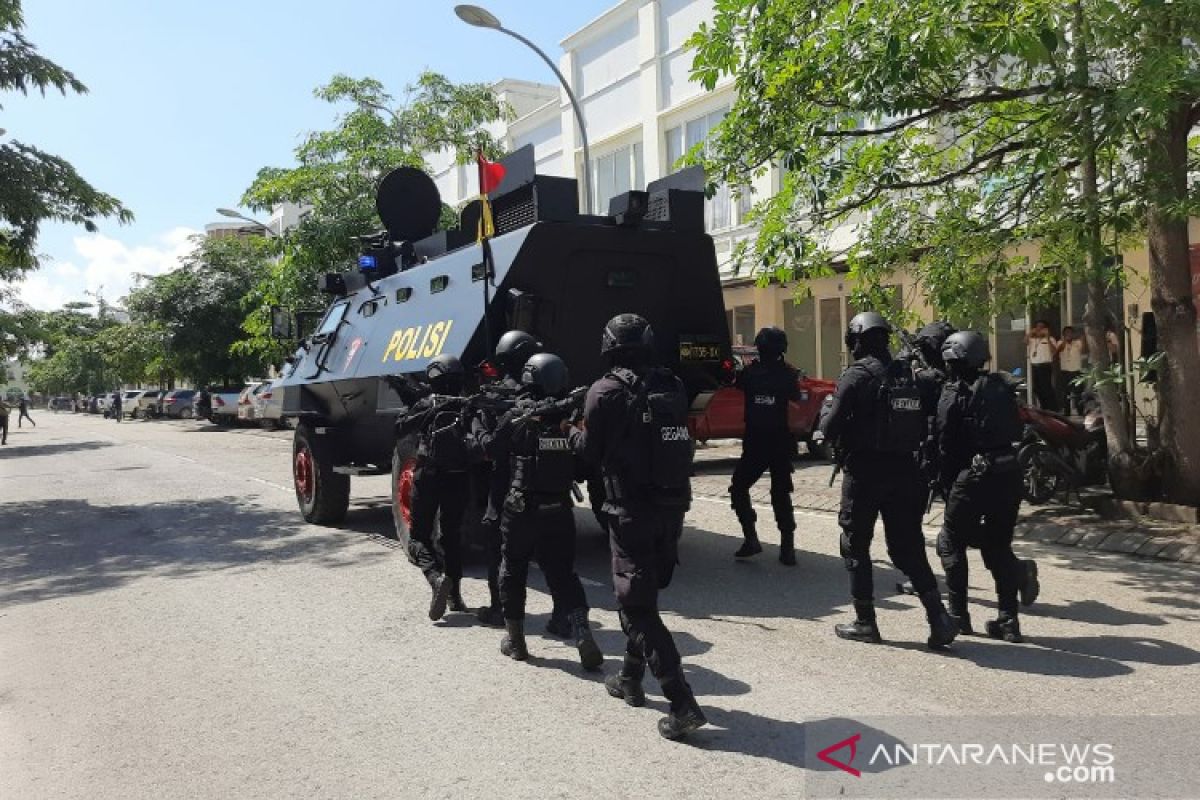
769	384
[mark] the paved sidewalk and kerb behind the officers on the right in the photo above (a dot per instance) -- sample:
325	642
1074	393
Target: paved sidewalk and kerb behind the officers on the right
1052	524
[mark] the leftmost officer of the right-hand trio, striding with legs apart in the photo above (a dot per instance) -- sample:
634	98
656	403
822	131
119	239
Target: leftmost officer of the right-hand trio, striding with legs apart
878	422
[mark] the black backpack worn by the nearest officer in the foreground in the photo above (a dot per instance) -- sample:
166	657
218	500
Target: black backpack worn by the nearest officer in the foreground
658	448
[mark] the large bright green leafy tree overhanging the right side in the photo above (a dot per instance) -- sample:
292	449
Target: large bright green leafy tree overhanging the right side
939	136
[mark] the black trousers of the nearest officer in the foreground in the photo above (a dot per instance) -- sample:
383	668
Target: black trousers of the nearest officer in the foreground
645	551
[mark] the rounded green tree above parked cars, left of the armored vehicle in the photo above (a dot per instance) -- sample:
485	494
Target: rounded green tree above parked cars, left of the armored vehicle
197	310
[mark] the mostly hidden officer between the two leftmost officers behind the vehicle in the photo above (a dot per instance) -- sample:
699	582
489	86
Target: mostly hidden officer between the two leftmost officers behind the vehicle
512	353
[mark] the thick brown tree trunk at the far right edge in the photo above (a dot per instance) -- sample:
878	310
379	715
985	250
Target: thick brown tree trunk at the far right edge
1171	285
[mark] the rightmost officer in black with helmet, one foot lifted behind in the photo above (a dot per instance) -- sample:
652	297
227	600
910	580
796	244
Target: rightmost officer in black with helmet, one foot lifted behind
977	424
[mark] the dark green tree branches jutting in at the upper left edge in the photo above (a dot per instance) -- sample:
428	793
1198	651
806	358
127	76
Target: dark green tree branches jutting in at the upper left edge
37	187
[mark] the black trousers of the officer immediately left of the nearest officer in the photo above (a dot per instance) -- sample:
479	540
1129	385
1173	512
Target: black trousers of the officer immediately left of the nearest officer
547	534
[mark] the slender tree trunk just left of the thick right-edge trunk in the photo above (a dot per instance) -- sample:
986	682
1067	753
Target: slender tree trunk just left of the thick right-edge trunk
1123	470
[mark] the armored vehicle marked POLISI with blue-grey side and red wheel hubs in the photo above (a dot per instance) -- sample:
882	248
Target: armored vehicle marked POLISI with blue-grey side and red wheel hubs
548	270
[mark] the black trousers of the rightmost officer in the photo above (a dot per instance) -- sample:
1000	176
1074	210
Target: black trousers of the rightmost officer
982	513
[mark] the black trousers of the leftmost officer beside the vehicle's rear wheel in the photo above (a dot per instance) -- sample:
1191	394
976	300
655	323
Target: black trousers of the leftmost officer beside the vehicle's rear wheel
440	501
